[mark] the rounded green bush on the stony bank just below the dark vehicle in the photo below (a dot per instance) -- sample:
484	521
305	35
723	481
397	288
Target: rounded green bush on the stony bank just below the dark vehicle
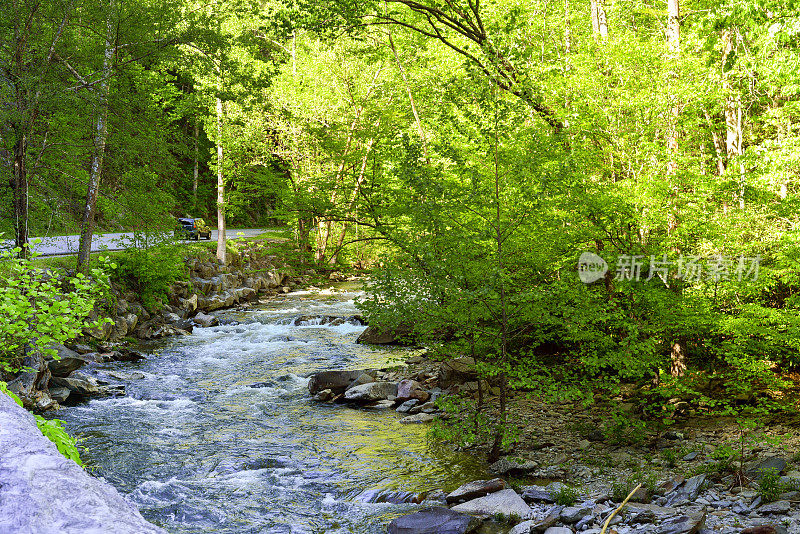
151	272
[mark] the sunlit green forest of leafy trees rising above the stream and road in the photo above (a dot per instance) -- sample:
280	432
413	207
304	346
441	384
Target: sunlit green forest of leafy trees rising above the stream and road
579	194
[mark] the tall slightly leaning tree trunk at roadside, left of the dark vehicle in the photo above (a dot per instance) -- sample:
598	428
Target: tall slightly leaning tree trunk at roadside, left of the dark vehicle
100	138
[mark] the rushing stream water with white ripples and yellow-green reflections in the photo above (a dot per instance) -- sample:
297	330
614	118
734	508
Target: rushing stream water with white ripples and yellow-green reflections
199	449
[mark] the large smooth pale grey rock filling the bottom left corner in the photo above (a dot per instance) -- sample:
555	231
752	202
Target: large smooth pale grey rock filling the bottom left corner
44	492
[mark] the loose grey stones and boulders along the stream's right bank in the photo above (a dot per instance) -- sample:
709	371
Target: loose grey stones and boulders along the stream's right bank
558	481
